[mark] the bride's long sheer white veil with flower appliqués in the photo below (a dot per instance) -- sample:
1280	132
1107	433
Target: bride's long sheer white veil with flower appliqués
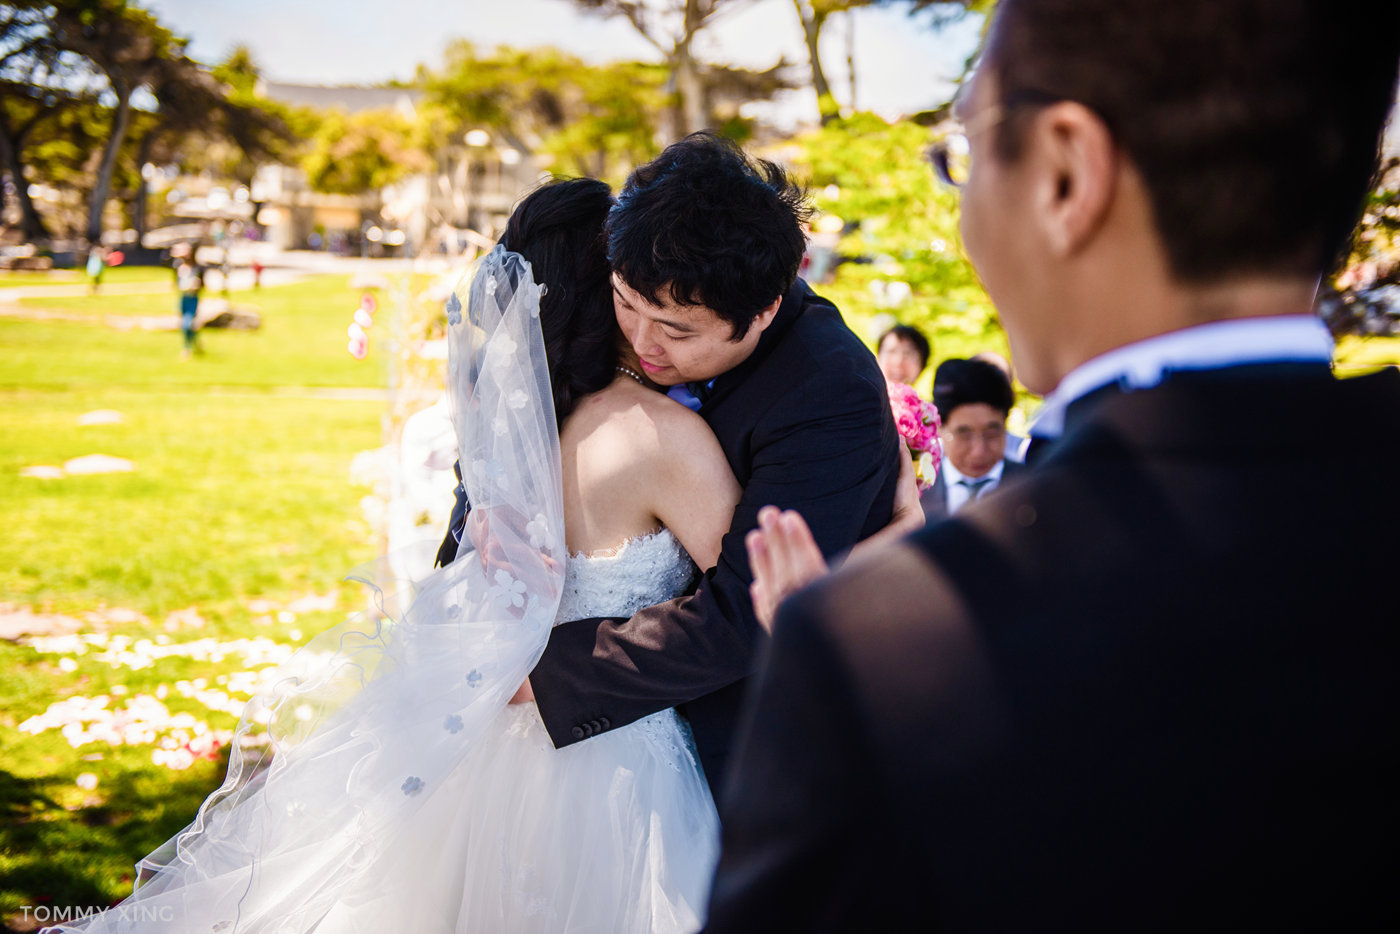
367	719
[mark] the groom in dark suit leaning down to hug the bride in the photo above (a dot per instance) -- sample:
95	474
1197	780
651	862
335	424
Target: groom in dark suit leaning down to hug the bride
705	246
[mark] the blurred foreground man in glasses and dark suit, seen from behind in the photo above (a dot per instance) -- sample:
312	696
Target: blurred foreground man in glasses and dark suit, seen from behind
1153	684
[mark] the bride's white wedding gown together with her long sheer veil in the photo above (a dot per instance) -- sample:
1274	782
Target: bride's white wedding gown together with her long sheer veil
397	790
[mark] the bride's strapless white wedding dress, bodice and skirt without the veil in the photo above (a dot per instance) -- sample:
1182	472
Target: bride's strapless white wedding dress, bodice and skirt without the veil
612	835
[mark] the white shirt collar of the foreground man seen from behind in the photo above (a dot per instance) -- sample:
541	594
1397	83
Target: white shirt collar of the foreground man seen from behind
1212	347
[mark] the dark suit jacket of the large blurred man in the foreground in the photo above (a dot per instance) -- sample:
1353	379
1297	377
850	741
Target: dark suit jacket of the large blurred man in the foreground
1150	687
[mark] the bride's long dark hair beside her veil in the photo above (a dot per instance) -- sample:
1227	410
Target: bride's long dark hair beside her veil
559	229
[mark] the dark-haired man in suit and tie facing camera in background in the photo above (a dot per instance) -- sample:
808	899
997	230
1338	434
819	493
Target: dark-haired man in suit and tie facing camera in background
974	400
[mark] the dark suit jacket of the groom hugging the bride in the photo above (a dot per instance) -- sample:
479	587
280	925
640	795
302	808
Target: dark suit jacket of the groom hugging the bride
806	424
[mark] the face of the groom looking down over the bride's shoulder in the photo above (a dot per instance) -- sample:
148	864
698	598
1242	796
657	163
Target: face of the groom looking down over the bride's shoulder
682	344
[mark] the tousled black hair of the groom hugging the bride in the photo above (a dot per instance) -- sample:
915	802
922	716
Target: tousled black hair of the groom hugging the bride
710	226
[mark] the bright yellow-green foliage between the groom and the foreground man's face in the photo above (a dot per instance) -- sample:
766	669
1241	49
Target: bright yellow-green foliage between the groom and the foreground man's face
901	228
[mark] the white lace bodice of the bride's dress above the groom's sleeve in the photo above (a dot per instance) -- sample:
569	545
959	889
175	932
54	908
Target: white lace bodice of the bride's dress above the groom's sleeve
645	571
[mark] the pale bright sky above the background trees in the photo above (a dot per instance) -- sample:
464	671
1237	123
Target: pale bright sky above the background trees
902	65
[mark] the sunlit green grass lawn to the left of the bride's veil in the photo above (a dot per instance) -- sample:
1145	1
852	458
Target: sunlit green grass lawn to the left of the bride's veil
240	505
